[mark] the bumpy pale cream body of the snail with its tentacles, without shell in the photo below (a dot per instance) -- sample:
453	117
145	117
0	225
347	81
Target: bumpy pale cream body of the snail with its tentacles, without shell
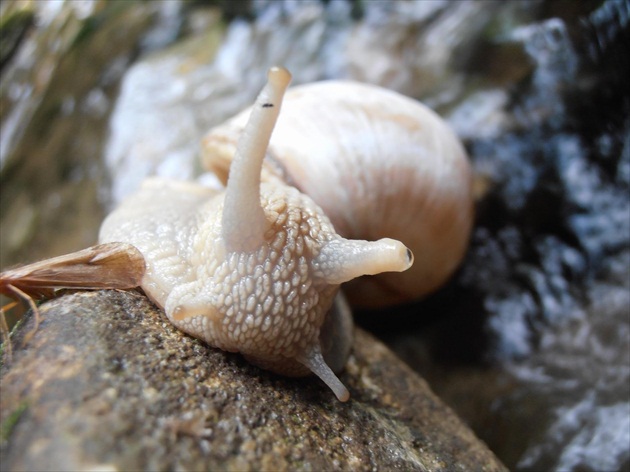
255	269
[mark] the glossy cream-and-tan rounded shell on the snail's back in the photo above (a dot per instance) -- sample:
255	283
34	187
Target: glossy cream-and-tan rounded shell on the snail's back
379	165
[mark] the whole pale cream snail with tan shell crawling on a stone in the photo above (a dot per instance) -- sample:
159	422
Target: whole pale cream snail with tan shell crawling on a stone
256	268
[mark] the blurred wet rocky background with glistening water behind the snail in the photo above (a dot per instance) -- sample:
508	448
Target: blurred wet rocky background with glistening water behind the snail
530	343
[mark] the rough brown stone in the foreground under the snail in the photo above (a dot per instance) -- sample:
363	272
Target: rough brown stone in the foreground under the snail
107	383
